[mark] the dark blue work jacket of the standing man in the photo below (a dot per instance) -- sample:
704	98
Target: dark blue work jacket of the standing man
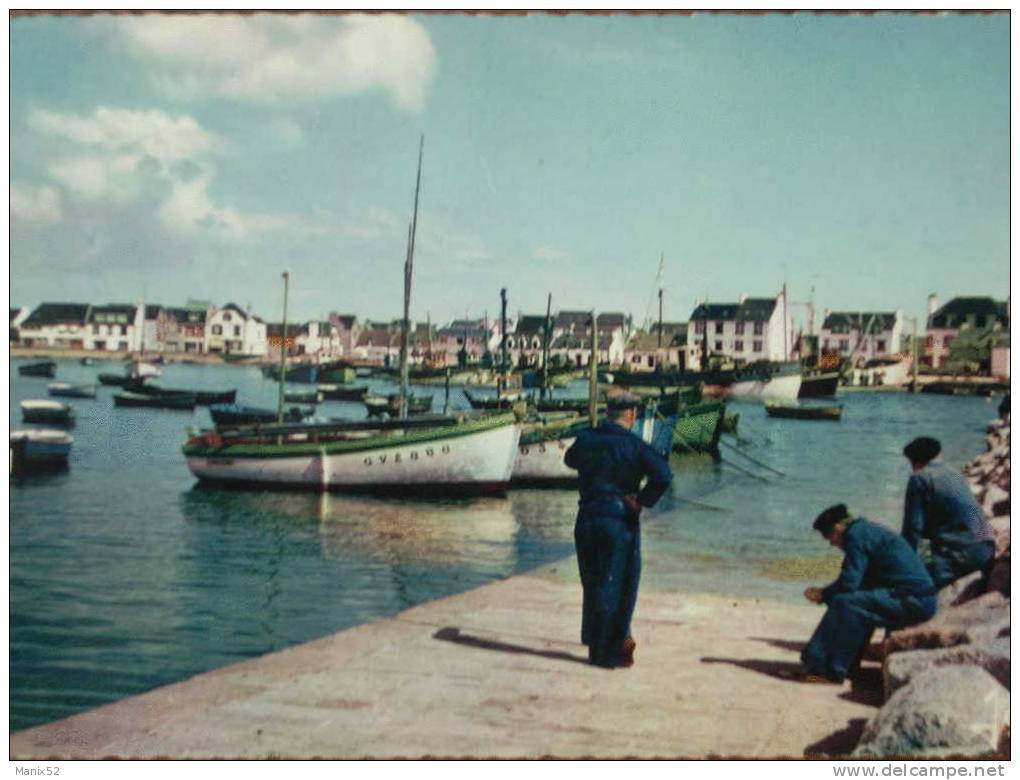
611	463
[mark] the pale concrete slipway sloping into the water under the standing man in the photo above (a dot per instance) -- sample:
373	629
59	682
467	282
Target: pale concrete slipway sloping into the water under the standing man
497	672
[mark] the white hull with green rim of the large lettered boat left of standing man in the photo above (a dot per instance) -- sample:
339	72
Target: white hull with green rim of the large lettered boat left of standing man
446	460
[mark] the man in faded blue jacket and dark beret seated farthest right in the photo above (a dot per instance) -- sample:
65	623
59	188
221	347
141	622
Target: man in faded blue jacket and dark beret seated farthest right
942	508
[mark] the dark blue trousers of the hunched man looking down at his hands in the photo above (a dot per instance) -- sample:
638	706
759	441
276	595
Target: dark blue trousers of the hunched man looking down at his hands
840	642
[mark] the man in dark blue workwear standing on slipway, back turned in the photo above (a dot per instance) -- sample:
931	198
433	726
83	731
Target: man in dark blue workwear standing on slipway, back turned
611	463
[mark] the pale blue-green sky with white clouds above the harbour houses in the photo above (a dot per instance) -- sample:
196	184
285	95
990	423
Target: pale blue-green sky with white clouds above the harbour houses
862	161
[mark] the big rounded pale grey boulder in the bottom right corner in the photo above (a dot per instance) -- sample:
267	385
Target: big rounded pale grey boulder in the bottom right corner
946	711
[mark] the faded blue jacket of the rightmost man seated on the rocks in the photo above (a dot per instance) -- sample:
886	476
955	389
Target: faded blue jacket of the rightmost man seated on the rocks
941	507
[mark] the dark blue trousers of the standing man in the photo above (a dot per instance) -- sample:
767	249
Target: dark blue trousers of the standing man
609	561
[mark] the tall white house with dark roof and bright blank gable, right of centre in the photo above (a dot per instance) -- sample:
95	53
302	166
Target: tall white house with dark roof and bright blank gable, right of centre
752	330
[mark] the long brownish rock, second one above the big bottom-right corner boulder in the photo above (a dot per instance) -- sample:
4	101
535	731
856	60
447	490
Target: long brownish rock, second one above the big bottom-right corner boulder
987	617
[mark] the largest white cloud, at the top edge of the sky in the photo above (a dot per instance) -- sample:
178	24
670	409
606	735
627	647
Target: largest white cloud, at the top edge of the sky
272	58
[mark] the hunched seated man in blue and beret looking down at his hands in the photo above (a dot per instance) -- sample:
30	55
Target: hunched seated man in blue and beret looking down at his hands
883	584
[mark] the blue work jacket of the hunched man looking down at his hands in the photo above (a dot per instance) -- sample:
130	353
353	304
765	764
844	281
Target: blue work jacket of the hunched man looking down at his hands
877	558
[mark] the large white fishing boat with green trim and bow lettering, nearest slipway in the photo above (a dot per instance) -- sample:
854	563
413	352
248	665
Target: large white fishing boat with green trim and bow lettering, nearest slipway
432	455
